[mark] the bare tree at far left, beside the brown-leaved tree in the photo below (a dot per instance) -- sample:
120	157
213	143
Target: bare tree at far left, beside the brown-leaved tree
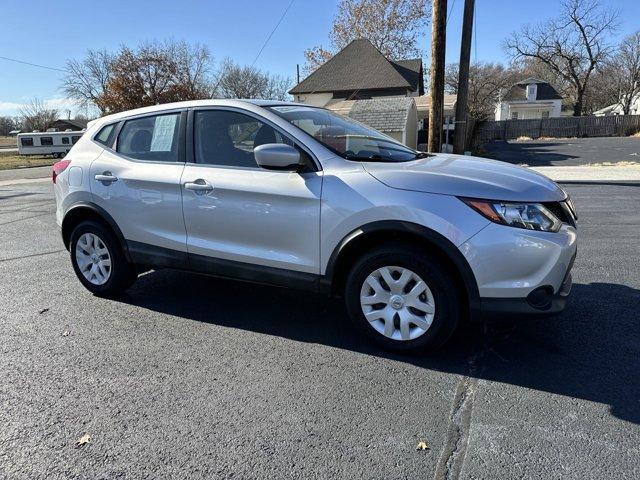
87	79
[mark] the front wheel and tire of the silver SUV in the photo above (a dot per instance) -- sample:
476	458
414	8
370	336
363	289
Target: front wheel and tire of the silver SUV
403	298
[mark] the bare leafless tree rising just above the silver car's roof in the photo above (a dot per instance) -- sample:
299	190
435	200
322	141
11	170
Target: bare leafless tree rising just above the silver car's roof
236	81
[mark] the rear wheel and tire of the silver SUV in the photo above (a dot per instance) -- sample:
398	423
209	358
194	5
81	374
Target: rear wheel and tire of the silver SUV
98	260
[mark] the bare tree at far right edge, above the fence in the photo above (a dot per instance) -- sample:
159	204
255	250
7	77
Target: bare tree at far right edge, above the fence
624	71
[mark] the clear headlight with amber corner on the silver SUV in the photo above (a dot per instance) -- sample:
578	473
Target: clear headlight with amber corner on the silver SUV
531	216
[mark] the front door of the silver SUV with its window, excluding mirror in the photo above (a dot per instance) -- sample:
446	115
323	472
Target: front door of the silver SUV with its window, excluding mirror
240	216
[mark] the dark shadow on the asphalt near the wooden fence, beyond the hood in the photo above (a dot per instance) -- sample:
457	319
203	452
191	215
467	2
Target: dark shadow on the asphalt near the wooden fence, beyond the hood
534	154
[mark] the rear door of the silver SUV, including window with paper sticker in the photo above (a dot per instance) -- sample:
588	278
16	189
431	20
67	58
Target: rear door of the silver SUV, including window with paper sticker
137	181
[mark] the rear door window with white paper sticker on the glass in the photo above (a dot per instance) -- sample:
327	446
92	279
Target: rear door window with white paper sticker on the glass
153	138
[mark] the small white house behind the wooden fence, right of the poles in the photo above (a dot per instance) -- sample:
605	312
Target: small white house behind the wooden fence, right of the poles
529	99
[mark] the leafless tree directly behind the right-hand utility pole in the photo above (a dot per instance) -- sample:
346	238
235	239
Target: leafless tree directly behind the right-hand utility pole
486	82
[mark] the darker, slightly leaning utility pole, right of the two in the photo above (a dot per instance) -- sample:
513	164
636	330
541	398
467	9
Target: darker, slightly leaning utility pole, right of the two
462	110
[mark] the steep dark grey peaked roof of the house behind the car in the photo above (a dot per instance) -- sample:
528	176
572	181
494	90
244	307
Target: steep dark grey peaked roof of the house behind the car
361	66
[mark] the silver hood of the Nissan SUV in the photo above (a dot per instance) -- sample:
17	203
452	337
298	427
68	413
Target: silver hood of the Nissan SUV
466	176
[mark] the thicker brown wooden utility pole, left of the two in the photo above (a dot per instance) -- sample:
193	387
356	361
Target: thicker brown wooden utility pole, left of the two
438	45
